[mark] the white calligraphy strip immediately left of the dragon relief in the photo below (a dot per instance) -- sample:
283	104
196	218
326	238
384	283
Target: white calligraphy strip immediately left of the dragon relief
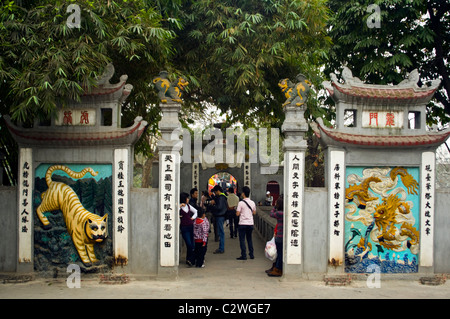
336	189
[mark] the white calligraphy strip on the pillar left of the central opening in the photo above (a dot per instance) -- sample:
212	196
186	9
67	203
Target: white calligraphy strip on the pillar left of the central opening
168	199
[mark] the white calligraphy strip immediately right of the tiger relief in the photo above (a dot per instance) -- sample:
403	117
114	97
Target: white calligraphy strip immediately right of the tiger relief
121	193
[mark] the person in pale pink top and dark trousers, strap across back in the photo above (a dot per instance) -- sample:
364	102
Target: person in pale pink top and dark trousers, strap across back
245	211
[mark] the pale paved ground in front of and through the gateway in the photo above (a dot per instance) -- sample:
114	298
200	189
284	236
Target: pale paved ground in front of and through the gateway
224	277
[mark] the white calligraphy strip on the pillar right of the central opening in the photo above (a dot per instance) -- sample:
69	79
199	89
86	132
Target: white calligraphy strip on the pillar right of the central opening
293	203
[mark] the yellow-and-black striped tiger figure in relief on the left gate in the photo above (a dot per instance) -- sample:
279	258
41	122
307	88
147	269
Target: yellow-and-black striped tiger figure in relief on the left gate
84	227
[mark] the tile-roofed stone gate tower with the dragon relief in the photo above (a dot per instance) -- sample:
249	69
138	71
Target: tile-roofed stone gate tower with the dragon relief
380	176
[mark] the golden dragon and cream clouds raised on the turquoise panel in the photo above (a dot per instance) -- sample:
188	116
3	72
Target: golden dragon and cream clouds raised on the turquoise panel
379	202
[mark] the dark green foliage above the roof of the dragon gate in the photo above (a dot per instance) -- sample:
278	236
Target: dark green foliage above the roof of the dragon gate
411	34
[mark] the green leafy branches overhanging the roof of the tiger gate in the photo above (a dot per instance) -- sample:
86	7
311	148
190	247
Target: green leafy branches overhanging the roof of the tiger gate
44	61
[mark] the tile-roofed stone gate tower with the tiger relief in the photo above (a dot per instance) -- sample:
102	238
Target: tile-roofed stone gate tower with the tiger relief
75	175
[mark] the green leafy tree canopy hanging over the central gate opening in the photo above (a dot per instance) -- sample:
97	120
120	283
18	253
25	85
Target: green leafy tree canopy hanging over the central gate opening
237	51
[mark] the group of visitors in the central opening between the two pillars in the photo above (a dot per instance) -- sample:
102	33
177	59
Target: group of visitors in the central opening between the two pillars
195	225
